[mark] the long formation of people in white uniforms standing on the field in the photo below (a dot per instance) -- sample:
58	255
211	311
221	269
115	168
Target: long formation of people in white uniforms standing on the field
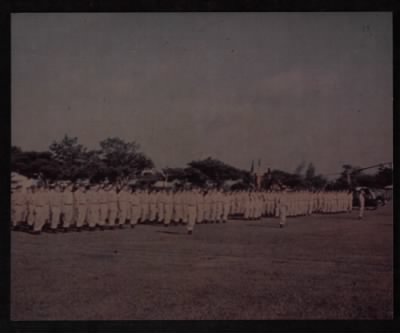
71	206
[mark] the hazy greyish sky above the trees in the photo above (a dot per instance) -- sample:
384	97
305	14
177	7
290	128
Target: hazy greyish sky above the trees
282	87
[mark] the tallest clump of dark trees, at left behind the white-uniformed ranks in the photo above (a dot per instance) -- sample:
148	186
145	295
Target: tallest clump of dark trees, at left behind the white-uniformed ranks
67	159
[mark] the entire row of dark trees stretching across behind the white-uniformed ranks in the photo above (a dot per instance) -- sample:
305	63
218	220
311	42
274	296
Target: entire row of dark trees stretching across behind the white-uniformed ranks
116	159
